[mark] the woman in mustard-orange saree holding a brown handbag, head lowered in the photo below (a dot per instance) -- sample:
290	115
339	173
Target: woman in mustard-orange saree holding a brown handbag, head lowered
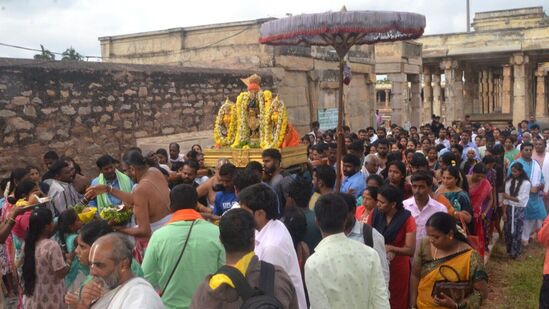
444	250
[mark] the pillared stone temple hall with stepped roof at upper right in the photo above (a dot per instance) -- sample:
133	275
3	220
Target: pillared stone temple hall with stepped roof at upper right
496	73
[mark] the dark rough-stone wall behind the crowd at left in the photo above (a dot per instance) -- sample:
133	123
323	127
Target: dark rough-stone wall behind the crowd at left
84	110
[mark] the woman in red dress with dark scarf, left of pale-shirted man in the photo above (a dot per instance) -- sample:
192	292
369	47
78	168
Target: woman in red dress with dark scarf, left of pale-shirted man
398	227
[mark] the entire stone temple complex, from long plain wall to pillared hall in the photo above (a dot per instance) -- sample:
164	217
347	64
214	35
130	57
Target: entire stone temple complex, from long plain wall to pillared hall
496	73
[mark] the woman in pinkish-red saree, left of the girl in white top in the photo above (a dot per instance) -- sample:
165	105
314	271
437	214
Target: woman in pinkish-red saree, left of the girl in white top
480	193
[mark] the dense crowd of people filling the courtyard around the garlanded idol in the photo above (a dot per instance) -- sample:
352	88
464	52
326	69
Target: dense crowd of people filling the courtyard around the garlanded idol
410	224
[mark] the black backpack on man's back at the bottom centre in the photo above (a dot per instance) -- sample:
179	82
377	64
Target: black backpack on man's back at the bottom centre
254	298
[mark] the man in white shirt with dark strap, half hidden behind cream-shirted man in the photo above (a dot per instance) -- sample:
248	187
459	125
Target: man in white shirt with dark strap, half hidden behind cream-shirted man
355	229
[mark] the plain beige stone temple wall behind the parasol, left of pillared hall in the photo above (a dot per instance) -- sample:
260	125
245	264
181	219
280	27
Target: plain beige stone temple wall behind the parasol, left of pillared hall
304	77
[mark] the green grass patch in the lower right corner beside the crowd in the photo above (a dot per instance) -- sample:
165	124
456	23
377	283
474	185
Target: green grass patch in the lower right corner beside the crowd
515	283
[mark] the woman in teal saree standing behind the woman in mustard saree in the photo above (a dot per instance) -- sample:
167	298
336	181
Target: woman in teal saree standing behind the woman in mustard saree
452	184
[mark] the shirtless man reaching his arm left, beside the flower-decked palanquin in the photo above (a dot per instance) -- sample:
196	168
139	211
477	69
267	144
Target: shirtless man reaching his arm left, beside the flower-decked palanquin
150	200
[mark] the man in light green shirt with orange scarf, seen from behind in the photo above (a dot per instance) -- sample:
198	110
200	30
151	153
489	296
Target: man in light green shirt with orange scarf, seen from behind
202	254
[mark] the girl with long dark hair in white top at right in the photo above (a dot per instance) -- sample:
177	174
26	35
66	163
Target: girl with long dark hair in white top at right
515	199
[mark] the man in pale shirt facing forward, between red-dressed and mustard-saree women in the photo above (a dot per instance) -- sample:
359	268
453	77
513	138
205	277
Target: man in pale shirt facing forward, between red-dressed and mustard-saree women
421	205
